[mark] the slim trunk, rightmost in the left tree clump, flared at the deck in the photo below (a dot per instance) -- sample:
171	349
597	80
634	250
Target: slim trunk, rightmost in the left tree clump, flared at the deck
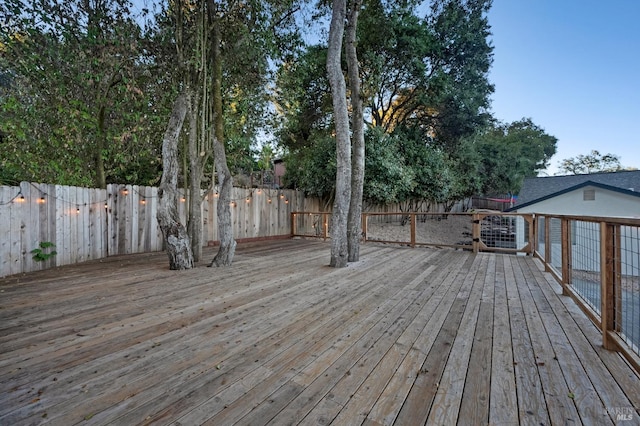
225	225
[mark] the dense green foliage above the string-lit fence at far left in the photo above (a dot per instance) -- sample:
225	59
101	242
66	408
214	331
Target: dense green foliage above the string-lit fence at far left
72	109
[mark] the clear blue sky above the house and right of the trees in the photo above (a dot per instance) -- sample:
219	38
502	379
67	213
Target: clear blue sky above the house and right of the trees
573	67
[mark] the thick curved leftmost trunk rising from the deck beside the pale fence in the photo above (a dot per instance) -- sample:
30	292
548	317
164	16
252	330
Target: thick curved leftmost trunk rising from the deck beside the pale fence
175	234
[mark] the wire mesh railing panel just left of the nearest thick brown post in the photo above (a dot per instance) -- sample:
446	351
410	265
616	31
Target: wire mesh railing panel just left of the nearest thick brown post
585	262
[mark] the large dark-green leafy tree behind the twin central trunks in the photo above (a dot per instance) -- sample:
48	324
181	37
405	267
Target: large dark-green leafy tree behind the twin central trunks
423	81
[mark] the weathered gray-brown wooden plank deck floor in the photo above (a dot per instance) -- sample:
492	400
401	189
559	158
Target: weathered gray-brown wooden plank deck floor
405	337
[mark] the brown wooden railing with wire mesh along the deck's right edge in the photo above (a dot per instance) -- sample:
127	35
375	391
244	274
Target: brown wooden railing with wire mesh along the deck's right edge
597	262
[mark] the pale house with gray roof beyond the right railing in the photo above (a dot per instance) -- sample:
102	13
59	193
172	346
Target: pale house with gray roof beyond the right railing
614	194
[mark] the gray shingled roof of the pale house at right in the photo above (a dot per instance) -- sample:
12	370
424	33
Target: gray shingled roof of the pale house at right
534	189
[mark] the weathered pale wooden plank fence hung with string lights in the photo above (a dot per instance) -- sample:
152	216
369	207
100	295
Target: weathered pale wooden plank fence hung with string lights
86	223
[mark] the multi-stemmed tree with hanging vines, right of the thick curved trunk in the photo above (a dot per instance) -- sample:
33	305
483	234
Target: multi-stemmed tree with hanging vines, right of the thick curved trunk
222	52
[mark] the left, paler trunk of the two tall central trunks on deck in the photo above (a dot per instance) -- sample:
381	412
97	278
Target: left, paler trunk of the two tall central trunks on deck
339	248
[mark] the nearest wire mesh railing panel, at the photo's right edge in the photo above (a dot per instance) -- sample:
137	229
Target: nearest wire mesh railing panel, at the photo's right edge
627	308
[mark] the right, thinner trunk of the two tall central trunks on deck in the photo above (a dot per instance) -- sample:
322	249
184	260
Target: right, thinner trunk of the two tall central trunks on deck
354	223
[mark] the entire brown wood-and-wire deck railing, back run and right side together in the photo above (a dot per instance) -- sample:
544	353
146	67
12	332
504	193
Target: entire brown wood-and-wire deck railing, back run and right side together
595	259
